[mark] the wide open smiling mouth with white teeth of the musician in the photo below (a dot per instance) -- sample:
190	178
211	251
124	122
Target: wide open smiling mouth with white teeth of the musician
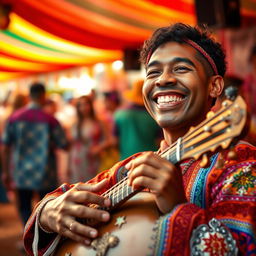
169	100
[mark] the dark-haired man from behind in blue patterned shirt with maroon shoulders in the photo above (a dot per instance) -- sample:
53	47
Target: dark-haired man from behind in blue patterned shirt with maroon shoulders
28	142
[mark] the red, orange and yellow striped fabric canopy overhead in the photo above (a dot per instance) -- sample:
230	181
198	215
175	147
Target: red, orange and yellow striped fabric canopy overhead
49	35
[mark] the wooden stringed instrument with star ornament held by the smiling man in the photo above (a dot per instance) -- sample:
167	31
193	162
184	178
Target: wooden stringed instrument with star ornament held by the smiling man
133	212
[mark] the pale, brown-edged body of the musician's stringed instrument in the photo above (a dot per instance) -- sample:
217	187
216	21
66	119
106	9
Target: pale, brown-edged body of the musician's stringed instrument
140	214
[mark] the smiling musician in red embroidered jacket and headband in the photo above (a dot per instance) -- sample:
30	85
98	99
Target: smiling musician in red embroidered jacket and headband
202	211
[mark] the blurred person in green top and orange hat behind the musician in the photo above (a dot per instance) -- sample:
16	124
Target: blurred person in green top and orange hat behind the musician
135	129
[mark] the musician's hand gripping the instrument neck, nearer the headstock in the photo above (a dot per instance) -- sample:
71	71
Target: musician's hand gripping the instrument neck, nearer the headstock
160	176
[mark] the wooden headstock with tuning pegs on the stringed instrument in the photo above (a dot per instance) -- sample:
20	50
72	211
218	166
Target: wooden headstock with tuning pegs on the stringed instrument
217	130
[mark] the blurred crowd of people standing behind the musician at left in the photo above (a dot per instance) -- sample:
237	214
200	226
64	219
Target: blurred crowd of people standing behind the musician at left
46	140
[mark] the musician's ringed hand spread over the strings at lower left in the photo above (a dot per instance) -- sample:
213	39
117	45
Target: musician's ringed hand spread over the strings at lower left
59	215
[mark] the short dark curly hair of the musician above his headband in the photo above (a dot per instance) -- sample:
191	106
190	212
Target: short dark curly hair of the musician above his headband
180	32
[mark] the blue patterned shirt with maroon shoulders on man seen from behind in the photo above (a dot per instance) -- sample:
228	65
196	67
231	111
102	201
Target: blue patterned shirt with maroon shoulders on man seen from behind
33	136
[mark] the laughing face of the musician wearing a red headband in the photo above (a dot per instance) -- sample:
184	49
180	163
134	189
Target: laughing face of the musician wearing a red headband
176	89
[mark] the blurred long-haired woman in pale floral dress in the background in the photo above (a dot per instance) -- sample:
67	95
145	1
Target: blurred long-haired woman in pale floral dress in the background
87	140
